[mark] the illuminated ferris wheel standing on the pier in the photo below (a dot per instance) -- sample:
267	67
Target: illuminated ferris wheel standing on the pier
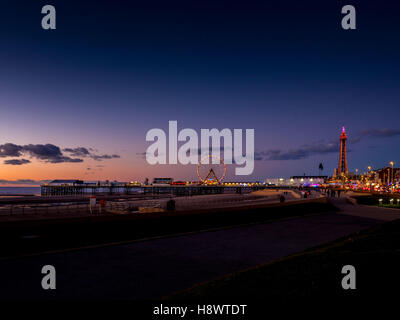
209	172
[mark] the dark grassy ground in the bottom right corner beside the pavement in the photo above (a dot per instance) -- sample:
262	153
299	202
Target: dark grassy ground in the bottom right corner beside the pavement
375	253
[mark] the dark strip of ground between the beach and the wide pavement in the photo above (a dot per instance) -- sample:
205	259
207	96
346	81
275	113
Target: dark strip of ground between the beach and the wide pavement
26	236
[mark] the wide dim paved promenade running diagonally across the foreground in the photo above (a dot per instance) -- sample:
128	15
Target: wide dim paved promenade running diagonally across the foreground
154	268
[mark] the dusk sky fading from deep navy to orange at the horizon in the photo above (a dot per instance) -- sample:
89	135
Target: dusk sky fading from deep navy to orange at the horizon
112	70
